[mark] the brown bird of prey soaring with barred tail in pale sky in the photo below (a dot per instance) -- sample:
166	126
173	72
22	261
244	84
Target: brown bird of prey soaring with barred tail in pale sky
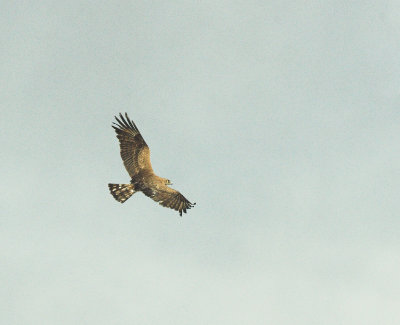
135	154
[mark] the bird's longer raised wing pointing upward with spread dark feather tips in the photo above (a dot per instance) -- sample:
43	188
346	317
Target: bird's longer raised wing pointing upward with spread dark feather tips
135	153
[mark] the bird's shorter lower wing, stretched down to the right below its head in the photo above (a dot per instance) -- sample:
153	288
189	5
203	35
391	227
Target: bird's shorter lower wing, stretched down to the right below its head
169	198
